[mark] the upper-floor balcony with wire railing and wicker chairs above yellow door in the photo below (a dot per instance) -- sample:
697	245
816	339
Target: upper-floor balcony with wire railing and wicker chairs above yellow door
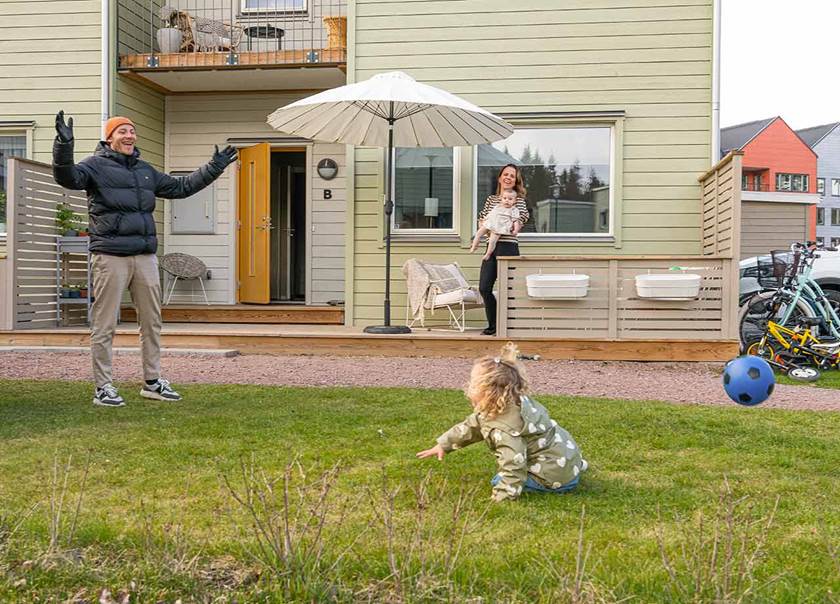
174	46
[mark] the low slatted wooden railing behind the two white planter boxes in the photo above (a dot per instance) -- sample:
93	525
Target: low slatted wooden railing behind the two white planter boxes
612	308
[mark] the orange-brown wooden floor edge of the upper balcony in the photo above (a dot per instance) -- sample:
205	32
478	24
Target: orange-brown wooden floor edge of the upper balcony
315	57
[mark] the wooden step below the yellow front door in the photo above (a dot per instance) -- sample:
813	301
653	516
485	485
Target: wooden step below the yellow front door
277	314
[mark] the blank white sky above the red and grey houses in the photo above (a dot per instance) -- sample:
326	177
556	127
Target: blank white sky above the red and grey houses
779	57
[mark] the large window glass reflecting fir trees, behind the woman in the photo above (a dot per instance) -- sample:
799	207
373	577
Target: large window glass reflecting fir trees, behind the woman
567	172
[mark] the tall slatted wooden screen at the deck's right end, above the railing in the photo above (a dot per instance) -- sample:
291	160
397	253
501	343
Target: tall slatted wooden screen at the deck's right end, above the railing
721	206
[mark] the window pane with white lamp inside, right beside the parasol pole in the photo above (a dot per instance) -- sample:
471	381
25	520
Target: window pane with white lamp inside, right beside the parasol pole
424	197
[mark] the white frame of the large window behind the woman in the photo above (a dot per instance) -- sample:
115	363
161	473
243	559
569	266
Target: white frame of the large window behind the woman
548	237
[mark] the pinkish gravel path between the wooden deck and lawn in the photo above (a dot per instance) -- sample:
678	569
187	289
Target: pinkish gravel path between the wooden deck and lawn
672	382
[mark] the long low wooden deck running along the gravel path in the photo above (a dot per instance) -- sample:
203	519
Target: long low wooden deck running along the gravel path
334	340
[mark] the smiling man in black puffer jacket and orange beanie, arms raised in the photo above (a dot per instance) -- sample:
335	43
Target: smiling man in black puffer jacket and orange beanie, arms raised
121	190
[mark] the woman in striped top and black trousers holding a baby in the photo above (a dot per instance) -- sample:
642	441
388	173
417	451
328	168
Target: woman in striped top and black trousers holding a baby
503	225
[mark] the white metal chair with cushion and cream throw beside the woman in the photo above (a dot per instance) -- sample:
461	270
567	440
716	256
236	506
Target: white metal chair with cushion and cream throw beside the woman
441	286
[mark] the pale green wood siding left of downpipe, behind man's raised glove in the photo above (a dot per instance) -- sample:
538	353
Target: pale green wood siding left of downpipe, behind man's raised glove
49	60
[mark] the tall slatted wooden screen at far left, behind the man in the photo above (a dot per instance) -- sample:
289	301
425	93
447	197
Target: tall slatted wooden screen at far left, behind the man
32	245
